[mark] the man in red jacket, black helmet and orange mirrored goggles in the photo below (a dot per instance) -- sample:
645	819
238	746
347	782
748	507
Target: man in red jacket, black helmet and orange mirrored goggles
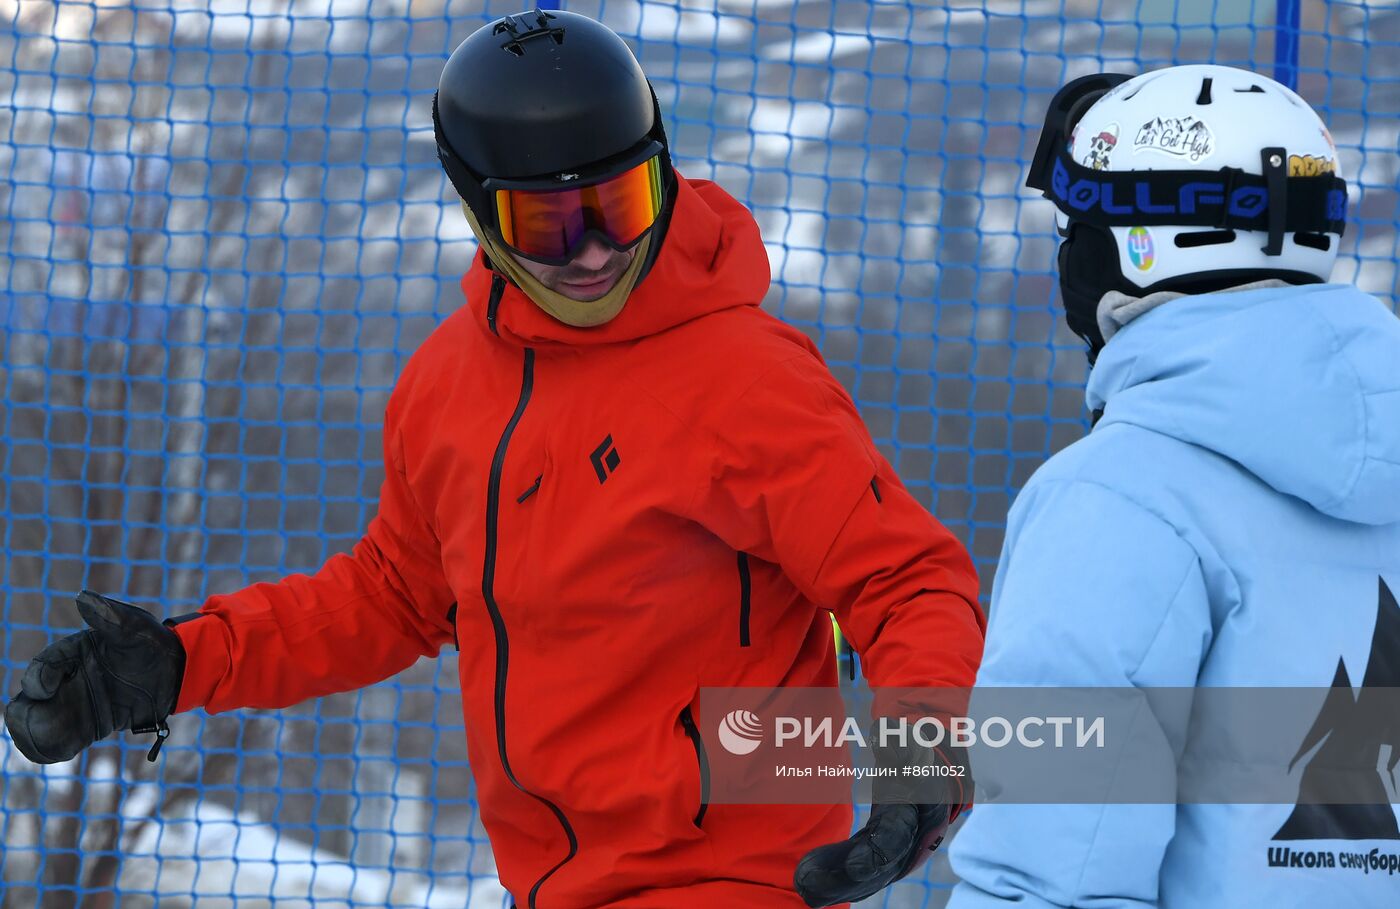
611	480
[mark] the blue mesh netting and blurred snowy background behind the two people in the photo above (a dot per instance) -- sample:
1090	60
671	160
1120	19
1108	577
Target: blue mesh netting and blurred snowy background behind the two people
225	229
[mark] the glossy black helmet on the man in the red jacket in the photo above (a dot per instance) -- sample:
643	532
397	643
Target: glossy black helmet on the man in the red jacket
547	97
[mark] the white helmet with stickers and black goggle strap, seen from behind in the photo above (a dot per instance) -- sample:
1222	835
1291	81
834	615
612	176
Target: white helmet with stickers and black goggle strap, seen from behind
1191	179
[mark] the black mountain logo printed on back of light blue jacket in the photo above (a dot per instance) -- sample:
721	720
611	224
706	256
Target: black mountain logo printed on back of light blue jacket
1354	729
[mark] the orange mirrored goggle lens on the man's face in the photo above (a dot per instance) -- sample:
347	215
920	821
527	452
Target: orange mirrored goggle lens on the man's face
548	225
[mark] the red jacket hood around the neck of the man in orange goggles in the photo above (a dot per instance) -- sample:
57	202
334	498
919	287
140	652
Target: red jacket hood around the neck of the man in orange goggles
712	260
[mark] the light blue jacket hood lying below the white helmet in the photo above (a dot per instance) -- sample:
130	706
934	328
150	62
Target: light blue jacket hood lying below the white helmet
1300	386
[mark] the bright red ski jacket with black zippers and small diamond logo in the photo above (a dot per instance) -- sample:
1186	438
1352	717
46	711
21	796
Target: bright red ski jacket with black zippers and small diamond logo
607	520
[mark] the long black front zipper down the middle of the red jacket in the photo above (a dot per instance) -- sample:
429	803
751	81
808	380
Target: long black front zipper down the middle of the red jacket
503	648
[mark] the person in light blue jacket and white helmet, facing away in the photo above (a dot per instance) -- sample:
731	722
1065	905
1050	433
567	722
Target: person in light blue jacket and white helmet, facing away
1234	516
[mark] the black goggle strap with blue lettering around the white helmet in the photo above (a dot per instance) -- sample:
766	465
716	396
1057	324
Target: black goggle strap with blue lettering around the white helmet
1226	200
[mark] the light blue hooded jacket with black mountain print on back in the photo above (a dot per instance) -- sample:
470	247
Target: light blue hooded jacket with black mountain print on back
1226	525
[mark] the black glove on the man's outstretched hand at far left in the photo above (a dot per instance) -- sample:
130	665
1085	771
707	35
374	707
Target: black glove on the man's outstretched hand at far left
124	673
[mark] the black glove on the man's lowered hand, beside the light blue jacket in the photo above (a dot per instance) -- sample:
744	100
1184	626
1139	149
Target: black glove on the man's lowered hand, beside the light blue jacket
908	823
